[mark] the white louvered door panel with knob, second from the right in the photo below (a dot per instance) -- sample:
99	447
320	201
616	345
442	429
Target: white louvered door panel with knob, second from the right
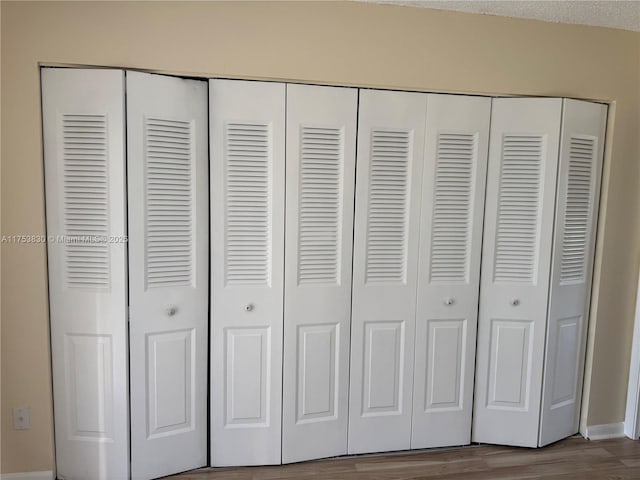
516	262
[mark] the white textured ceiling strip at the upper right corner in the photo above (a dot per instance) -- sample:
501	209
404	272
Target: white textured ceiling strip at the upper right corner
624	14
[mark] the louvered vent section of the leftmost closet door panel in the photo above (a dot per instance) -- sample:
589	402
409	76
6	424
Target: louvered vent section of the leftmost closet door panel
86	214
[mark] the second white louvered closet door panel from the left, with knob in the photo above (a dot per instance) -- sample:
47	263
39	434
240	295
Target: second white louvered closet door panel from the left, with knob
168	272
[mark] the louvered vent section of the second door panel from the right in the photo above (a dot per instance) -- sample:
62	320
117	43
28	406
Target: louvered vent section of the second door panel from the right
518	208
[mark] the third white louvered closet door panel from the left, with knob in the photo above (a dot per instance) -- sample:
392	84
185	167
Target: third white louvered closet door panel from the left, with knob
247	248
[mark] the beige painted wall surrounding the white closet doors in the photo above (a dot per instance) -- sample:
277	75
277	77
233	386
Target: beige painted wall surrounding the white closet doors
332	43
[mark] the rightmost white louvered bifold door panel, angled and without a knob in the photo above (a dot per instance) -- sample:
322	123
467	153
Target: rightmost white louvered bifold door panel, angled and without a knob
579	172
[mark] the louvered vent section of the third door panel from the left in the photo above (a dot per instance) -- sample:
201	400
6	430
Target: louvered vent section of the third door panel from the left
248	204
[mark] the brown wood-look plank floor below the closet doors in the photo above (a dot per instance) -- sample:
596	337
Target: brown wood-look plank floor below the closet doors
573	458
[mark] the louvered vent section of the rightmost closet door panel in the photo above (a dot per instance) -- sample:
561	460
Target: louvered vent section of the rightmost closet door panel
577	210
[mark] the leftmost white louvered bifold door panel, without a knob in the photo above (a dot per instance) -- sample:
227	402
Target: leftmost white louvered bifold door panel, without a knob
84	156
